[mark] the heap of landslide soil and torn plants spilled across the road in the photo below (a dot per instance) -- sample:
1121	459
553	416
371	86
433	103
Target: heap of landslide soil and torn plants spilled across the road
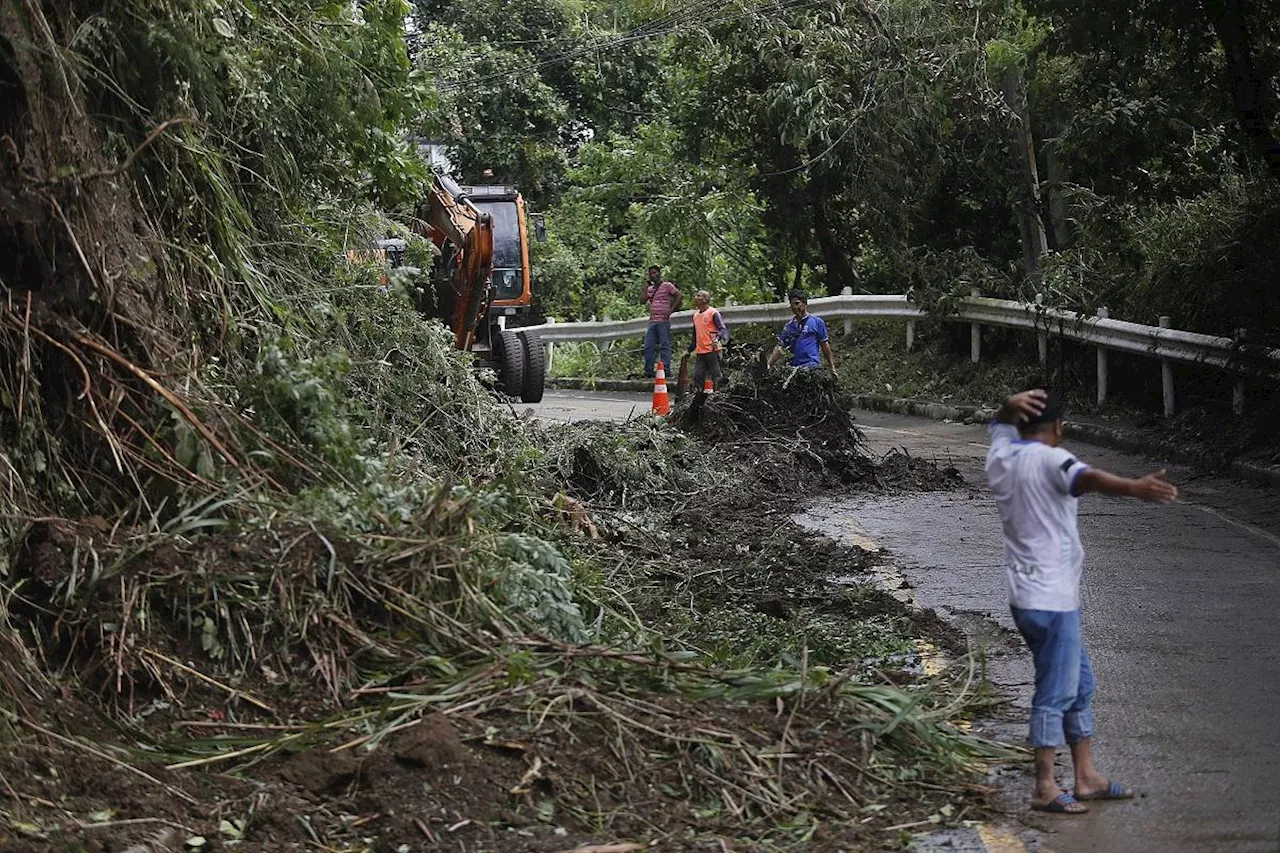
330	706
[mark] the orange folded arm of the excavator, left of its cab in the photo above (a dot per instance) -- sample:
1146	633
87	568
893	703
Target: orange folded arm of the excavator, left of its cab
456	220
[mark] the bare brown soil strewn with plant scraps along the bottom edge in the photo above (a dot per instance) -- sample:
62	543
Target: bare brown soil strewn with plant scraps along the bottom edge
497	782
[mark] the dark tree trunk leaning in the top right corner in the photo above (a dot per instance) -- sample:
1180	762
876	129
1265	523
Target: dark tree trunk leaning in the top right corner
1251	94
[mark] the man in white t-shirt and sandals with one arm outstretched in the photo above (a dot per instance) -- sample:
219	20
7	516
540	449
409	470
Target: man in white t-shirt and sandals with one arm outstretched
1036	485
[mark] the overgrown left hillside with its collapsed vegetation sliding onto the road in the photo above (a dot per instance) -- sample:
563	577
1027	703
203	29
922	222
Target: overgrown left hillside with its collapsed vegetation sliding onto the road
277	571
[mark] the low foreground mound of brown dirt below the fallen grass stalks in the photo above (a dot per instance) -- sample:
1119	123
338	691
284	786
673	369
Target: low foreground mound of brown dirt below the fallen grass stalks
578	767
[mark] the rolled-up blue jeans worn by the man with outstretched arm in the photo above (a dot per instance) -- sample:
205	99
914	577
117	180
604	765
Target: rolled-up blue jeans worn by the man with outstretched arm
1064	677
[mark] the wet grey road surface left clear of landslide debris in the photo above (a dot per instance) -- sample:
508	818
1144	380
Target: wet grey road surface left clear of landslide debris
1181	621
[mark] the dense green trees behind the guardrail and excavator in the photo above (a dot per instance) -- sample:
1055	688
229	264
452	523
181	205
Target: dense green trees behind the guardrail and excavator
1126	158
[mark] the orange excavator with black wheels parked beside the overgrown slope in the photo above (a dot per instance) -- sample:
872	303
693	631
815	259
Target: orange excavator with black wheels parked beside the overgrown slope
482	279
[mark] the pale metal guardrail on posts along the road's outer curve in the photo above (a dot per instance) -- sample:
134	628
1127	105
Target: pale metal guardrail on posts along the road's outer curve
1158	343
